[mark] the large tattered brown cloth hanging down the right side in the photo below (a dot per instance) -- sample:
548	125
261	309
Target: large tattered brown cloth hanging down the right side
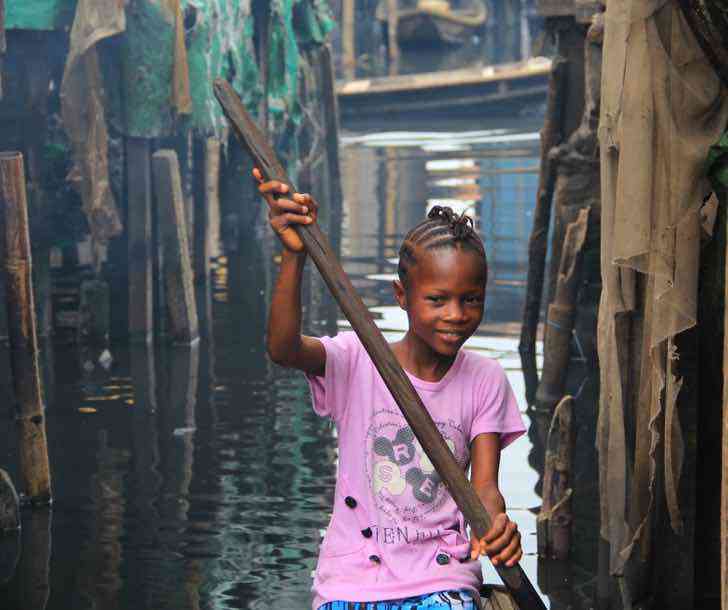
662	109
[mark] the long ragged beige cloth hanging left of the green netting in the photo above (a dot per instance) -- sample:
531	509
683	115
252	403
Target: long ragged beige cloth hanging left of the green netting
82	107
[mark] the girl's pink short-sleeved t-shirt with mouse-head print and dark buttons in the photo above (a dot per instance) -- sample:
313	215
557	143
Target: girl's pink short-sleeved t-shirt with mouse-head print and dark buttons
396	531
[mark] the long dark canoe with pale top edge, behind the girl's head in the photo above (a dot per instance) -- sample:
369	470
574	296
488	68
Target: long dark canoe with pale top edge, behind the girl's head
465	90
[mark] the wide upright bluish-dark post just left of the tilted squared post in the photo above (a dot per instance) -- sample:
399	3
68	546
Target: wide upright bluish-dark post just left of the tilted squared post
139	227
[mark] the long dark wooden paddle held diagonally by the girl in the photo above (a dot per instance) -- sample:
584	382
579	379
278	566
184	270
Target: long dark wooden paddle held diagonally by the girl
377	347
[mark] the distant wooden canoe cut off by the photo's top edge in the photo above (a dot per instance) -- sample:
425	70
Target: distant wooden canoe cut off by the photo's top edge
434	22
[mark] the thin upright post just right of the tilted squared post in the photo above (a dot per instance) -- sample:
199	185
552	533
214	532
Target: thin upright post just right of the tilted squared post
203	281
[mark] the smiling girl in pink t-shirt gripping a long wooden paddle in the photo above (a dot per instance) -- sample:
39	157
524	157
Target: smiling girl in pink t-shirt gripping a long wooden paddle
396	539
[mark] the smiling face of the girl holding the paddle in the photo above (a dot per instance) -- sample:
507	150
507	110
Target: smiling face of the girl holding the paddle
444	298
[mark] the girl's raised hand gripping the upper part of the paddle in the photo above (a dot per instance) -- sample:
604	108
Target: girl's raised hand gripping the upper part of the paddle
283	213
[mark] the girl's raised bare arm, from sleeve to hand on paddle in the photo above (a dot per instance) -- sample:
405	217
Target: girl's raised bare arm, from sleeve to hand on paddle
286	345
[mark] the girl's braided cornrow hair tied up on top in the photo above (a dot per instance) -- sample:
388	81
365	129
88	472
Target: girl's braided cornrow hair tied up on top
442	228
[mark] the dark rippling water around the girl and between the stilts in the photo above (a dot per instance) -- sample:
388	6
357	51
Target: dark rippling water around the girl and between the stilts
200	478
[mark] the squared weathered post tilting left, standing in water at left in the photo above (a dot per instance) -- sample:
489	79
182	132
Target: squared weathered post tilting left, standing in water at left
176	269
